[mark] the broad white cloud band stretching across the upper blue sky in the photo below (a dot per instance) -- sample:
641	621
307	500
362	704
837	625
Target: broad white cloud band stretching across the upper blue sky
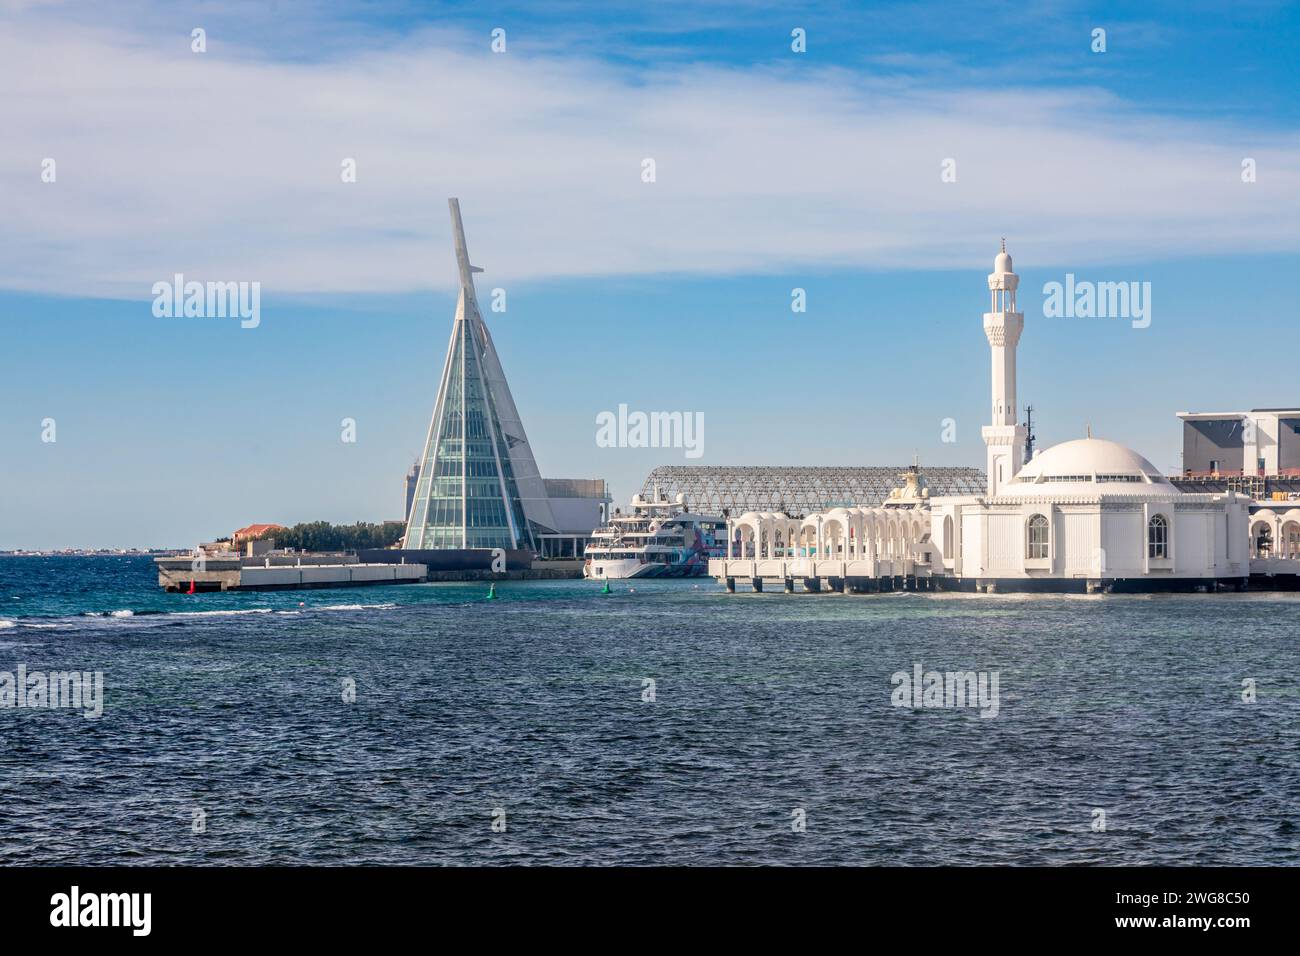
227	166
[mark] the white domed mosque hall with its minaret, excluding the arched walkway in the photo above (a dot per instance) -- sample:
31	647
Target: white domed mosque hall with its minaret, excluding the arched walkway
1086	514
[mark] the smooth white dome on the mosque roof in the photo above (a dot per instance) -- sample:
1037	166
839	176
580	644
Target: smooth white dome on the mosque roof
1090	466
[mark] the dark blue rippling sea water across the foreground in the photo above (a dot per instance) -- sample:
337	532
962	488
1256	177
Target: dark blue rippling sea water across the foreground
534	704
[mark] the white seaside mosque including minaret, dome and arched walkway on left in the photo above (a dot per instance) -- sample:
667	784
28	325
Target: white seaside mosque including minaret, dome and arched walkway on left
1085	516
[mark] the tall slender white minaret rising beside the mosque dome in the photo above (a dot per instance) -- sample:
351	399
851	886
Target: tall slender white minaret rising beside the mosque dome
1003	326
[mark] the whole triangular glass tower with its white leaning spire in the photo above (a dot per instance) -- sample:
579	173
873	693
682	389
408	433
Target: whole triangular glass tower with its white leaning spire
479	485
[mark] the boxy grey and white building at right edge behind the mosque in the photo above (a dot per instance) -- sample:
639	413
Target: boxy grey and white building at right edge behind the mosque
1258	443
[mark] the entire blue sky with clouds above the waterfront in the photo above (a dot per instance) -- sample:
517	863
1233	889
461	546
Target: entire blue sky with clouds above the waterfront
877	171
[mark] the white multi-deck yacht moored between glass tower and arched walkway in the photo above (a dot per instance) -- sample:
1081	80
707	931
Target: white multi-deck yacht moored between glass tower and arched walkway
656	539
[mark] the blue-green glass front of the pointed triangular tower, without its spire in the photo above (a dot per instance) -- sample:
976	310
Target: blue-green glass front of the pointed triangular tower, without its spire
467	495
